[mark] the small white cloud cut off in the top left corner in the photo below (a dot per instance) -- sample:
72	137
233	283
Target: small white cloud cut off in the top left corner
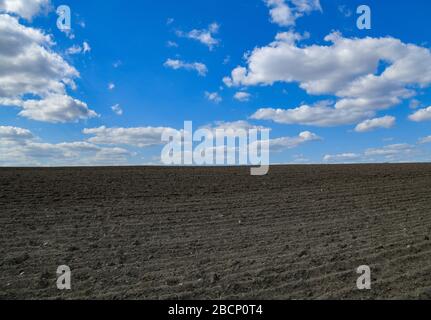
25	8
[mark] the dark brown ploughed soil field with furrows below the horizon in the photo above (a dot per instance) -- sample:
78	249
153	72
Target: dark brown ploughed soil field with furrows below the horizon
216	233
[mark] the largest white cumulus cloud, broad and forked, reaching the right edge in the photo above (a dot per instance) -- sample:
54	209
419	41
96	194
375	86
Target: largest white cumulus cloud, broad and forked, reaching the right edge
348	69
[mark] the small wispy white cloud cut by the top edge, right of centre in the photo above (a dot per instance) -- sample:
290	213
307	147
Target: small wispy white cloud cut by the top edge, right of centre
285	12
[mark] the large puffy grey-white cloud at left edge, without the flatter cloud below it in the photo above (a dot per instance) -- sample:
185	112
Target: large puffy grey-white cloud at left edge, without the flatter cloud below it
27	64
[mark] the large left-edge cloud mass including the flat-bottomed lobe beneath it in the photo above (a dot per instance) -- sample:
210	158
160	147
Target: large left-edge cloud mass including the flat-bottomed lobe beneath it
35	78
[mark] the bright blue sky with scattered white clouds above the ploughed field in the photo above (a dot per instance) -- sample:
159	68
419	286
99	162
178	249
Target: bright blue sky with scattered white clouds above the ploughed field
169	61
